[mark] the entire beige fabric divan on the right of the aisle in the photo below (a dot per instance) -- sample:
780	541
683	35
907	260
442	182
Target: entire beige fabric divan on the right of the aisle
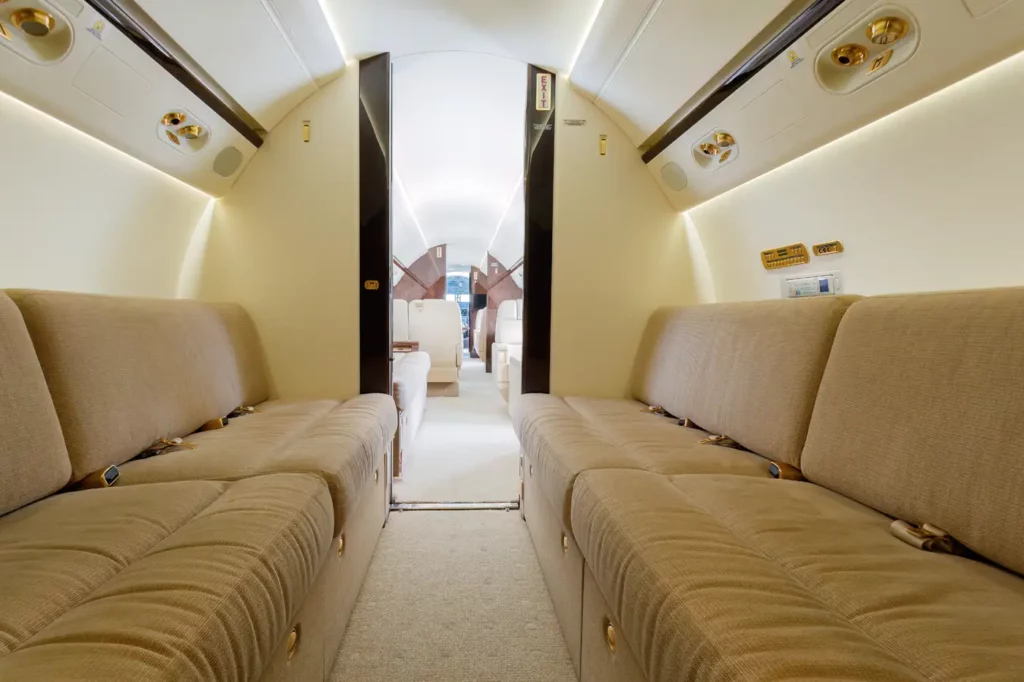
669	559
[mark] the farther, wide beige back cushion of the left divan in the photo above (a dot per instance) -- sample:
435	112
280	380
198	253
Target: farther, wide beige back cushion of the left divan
124	372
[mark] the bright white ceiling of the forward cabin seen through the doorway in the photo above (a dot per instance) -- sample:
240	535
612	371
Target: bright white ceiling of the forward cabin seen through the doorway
458	138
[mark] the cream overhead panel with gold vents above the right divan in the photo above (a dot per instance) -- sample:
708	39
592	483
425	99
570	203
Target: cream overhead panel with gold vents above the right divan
822	89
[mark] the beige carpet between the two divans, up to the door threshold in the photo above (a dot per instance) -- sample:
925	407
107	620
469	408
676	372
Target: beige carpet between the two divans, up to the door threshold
454	598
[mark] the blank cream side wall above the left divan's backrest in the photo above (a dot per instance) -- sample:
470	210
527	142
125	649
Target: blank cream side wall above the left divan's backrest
79	216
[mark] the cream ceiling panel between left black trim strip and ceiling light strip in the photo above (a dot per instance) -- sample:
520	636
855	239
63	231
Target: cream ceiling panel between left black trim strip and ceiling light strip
247	48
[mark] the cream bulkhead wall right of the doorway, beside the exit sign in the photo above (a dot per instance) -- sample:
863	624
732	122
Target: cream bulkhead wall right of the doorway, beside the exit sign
618	241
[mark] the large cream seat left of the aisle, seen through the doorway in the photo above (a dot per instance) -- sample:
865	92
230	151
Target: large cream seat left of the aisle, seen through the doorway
438	326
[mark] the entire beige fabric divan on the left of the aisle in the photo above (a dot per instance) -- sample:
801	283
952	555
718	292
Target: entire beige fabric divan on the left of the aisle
238	558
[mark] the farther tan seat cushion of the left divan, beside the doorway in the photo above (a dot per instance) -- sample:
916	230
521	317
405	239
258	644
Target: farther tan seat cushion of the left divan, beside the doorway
338	442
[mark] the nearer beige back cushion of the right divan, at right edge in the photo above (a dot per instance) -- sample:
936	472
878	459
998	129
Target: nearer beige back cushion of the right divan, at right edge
921	415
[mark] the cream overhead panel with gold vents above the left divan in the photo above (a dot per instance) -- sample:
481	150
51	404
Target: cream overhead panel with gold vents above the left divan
80	69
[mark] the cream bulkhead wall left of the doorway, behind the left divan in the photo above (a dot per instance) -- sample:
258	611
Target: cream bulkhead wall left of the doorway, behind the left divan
285	245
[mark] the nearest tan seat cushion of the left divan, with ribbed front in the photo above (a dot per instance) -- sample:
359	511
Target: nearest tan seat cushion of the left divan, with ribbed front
207	599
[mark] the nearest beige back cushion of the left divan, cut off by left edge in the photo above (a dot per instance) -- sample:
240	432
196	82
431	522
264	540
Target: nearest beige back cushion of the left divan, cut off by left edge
32	450
